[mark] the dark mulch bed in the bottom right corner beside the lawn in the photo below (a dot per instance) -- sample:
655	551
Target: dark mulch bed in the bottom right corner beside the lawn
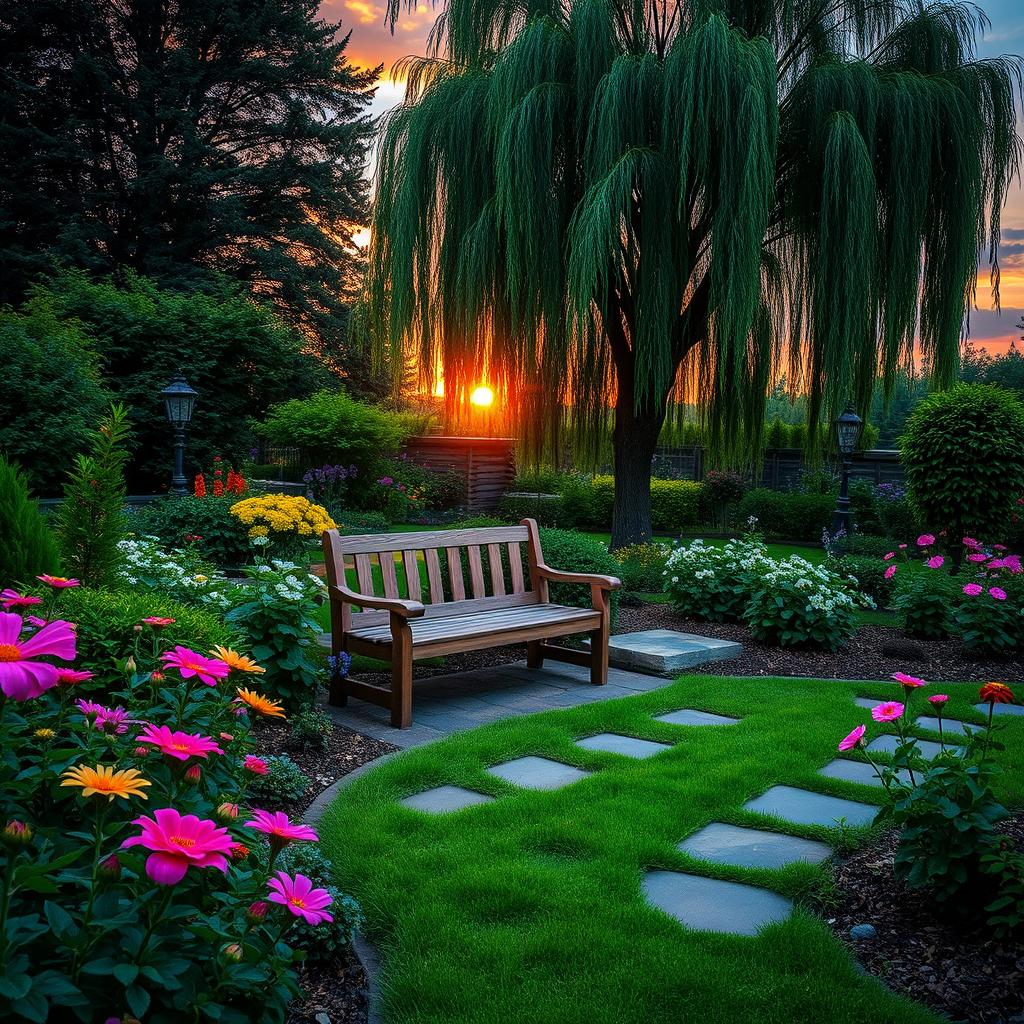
960	970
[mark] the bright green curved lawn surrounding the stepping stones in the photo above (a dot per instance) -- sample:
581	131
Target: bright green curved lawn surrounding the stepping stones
530	910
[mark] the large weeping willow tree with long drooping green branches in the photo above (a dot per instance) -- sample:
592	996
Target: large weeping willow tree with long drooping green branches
623	205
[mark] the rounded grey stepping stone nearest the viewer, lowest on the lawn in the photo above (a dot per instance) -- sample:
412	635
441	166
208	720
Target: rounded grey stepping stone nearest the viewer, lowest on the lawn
713	906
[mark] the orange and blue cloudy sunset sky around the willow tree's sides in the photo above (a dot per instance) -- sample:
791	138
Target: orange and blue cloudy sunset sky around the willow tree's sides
373	44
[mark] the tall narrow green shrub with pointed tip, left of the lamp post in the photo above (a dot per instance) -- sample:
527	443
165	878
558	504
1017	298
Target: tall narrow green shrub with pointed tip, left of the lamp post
91	522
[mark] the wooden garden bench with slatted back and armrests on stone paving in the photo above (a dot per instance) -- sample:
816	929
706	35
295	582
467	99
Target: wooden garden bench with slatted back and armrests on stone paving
502	606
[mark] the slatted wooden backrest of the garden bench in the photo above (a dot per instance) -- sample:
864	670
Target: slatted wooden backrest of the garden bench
463	570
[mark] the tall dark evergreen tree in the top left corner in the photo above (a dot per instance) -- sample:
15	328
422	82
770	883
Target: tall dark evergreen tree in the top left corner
179	138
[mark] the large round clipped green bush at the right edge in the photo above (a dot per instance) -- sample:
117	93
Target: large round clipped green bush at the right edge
963	453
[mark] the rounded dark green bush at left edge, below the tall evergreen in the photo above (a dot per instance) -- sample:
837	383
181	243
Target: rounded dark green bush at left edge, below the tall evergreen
49	366
